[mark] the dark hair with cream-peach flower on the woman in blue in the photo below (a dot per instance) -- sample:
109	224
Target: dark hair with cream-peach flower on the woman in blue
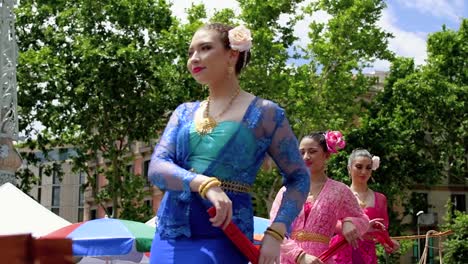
235	38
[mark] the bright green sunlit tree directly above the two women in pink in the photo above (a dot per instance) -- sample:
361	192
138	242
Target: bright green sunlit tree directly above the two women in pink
327	91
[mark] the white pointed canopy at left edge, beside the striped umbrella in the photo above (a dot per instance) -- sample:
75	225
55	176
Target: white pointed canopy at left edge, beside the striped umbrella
20	214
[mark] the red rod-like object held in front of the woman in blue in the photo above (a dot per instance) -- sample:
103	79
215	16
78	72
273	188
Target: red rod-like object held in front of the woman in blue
240	240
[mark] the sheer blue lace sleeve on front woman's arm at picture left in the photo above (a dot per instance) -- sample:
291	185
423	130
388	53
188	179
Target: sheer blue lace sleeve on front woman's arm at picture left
163	170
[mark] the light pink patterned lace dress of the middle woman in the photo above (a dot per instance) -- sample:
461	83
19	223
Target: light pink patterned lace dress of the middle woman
312	230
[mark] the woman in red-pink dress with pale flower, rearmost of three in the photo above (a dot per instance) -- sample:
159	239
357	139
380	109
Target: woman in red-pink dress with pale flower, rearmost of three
360	166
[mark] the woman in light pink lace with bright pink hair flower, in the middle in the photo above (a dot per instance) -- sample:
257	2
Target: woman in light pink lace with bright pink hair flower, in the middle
328	202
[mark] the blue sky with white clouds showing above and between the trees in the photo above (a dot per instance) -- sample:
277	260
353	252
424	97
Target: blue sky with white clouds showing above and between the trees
410	21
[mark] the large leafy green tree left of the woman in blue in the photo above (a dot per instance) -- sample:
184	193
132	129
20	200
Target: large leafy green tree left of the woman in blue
94	74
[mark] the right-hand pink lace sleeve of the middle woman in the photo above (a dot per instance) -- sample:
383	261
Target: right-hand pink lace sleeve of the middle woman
350	210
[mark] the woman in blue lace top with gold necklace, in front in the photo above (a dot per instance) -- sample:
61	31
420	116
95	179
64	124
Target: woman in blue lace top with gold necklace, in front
210	153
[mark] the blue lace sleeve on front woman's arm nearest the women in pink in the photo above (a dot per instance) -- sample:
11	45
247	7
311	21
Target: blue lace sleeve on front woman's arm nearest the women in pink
284	150
